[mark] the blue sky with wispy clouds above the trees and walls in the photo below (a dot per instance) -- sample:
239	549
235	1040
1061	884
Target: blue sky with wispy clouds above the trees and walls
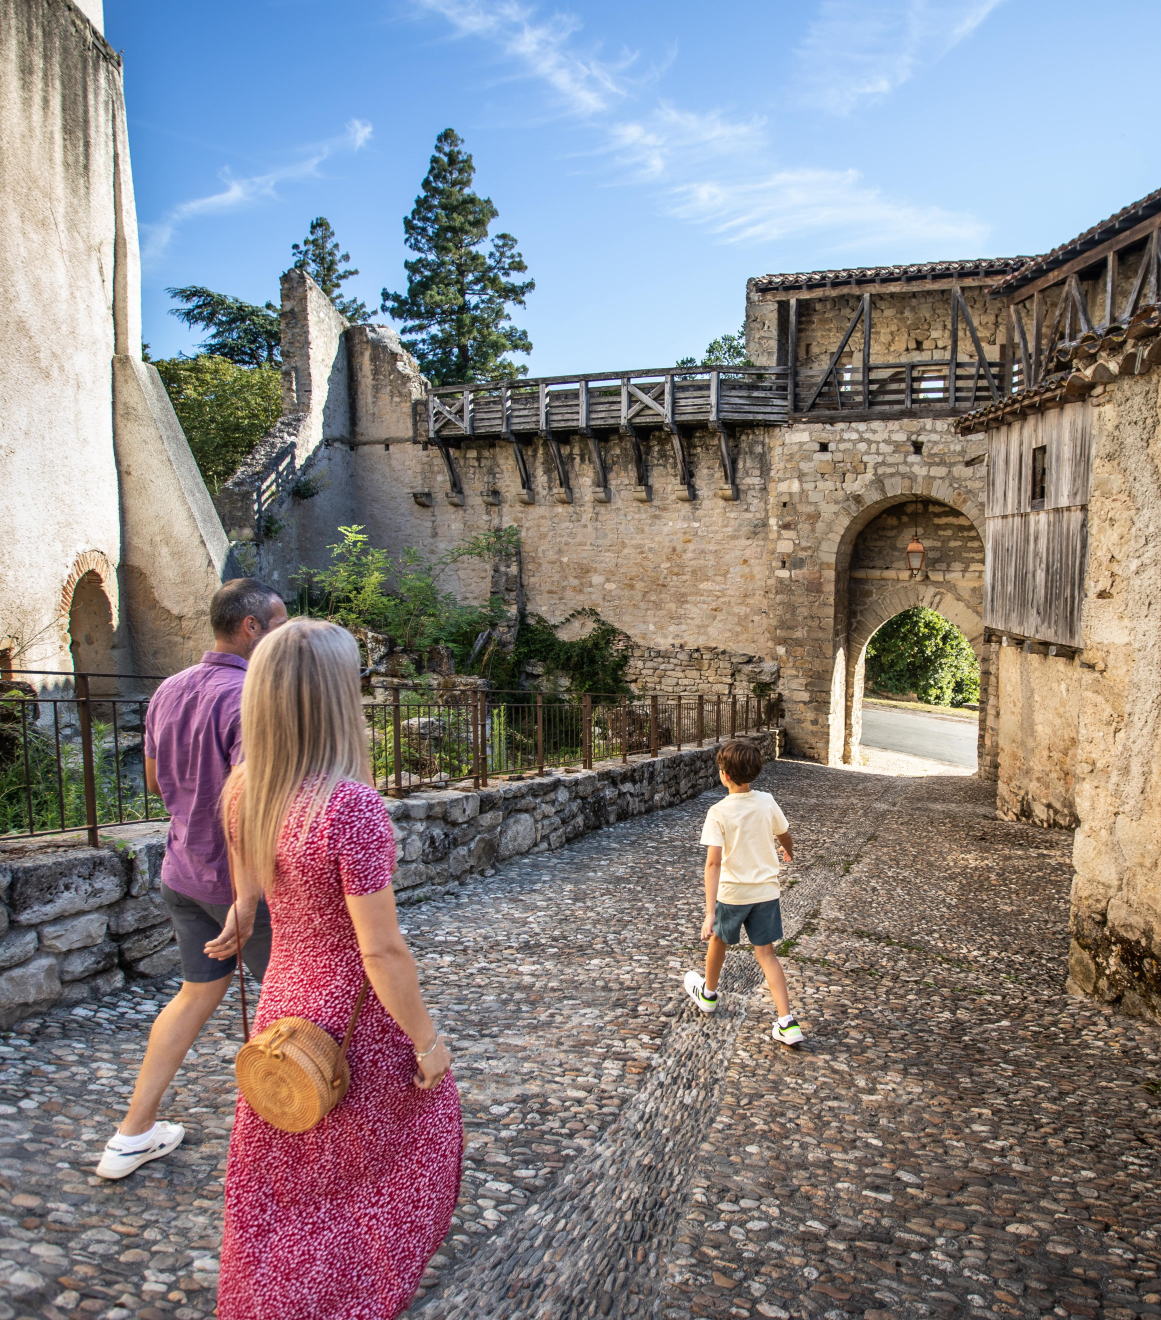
648	158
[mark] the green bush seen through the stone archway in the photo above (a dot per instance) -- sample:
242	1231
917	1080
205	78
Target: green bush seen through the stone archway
920	651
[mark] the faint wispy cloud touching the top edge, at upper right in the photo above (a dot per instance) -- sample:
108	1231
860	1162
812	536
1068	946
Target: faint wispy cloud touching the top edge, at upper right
856	51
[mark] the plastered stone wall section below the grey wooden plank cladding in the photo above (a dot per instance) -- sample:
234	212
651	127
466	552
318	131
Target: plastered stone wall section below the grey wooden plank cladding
1039	713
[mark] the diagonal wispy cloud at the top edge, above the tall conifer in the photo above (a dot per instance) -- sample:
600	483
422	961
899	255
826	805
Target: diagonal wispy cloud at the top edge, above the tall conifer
542	48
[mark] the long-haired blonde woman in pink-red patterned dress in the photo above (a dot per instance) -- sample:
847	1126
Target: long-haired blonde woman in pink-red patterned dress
337	1223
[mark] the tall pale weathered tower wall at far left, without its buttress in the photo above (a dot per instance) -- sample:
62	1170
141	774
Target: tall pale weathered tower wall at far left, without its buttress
61	135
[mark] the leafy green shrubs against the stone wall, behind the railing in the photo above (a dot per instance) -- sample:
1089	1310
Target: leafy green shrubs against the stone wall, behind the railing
402	597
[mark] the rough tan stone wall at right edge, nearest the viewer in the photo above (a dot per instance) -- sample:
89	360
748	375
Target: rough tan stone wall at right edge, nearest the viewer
1117	893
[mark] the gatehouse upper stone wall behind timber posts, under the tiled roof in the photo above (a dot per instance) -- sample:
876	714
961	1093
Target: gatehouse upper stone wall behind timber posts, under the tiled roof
906	327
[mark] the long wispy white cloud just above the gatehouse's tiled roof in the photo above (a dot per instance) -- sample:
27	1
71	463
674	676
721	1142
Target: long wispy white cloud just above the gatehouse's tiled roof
836	205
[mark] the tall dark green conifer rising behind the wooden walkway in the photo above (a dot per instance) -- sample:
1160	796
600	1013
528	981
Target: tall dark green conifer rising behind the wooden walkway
458	295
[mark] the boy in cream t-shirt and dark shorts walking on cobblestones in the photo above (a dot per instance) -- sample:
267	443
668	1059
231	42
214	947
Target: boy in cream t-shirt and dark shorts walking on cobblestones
742	836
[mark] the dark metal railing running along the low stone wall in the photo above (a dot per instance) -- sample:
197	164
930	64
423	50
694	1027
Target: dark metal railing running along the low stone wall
77	761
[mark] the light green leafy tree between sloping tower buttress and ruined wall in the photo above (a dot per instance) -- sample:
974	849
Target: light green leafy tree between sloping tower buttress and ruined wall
225	410
